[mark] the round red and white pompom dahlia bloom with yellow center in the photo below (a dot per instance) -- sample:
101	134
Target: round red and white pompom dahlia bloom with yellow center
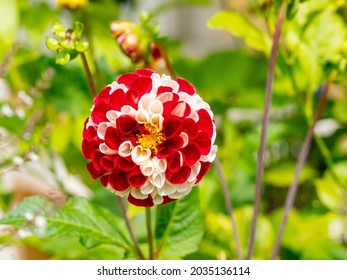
149	138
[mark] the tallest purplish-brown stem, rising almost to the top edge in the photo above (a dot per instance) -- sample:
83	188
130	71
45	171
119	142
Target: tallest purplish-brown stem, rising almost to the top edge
265	126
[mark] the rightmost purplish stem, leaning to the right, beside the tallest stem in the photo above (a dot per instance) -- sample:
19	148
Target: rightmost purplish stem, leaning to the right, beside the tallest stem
299	165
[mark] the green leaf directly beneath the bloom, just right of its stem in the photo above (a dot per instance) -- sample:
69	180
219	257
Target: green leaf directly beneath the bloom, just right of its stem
179	227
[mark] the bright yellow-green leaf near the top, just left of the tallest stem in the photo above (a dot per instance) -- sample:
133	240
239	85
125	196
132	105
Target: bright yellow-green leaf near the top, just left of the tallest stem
240	26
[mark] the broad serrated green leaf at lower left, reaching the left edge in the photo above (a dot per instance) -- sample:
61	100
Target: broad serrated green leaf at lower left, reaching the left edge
78	217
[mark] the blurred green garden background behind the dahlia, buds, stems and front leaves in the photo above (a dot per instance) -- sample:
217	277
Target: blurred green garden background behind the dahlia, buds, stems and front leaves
43	107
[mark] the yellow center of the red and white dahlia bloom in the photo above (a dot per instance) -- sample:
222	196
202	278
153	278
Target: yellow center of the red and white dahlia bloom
152	139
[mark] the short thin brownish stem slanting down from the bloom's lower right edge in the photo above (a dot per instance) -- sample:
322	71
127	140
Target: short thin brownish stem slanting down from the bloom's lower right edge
229	207
